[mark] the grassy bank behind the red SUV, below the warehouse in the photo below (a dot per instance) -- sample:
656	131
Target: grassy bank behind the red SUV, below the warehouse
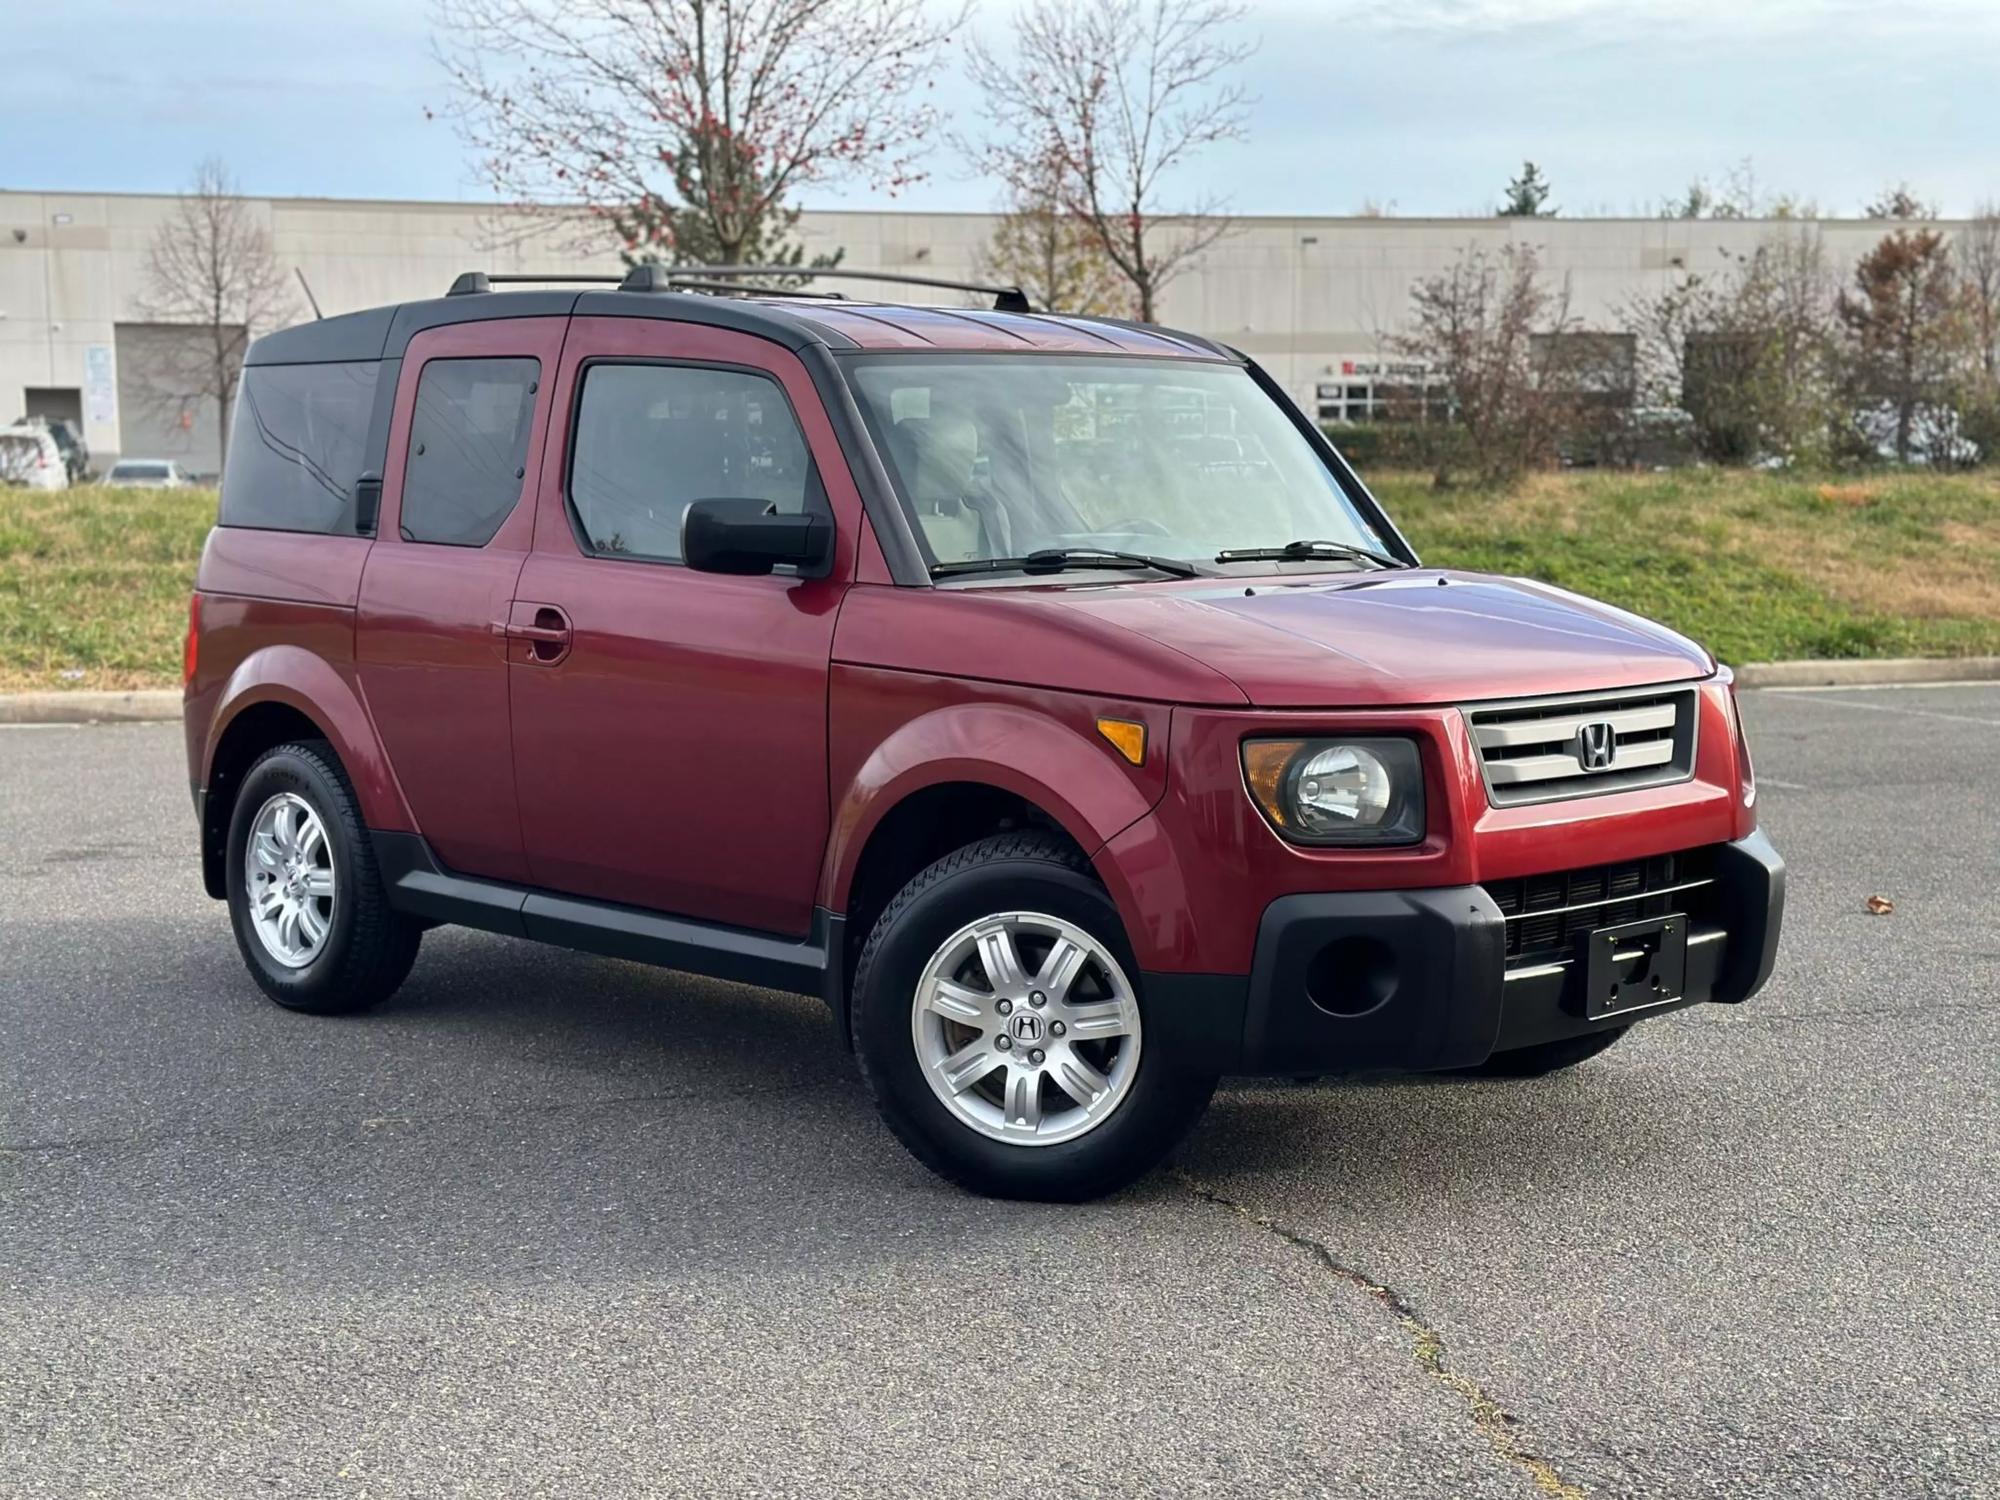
1759	567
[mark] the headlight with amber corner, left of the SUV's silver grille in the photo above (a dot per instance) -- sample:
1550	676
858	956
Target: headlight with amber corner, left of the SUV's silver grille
1339	791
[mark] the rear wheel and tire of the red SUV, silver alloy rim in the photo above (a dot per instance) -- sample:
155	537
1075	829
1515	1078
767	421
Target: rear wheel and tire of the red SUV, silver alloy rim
307	901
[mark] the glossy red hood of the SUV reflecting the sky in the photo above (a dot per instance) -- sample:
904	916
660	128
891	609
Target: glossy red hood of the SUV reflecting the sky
1409	637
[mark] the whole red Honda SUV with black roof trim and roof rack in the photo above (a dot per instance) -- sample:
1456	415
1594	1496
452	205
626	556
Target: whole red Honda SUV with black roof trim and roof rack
1045	693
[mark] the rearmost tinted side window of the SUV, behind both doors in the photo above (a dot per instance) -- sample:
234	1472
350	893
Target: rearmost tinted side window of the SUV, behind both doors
297	447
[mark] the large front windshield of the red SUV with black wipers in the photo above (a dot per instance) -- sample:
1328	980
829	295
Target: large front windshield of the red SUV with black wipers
1001	457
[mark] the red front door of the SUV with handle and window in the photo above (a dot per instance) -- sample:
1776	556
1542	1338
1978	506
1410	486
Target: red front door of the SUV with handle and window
669	725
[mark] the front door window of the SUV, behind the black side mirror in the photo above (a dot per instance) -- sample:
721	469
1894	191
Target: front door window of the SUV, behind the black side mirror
655	437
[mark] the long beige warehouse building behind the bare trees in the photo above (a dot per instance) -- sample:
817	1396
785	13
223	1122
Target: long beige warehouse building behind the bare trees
1313	299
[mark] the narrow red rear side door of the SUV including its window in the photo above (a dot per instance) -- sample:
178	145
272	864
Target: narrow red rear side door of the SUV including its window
431	637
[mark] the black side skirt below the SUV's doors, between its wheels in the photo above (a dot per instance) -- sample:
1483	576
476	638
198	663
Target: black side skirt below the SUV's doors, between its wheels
421	887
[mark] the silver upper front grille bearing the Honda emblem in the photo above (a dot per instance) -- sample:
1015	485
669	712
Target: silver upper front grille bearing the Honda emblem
1547	749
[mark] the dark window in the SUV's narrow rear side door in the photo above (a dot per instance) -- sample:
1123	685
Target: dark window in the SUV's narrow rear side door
469	445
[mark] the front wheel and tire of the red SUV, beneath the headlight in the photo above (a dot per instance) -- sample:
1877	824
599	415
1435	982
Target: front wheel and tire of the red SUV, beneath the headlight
1001	1029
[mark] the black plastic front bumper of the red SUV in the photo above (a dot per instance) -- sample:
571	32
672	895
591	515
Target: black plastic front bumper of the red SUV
1423	981
